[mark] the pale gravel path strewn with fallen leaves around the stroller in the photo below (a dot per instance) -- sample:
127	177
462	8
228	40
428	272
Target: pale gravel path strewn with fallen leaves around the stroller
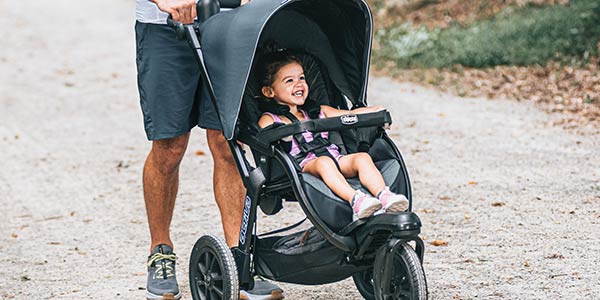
516	199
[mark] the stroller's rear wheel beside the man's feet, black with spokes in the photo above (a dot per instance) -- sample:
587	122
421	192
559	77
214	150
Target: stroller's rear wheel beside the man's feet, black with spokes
213	273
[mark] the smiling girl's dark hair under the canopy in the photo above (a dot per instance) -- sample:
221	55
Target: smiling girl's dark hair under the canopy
272	59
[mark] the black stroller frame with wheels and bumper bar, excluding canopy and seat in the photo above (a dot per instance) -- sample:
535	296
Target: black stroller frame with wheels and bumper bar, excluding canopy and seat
383	239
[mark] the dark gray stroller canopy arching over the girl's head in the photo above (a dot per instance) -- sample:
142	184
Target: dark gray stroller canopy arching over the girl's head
337	32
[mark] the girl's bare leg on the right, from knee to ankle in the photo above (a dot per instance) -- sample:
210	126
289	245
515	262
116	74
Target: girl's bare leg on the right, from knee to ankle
362	164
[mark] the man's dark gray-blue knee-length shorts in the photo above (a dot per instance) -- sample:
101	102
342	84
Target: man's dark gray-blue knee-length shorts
169	84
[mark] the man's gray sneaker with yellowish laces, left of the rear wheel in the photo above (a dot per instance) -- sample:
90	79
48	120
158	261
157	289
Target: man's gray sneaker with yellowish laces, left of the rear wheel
162	283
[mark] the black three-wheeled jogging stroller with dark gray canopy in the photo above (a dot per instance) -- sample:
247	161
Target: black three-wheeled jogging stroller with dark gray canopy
382	253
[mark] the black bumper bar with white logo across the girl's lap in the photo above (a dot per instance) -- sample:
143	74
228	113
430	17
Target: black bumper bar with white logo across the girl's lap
380	118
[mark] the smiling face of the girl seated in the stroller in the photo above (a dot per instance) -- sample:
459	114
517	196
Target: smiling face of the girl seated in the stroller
289	86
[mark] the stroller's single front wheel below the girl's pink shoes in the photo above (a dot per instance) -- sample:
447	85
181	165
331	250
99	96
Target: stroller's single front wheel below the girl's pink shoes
407	278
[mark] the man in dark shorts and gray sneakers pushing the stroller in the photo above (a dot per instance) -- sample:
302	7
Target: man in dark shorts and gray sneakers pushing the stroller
172	104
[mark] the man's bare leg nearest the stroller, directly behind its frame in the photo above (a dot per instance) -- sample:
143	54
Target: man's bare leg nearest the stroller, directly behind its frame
228	187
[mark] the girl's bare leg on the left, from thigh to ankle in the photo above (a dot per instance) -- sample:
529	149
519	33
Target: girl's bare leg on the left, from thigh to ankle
324	167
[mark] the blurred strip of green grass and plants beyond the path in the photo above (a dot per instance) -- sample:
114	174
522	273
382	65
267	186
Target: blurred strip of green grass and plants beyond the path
531	35
